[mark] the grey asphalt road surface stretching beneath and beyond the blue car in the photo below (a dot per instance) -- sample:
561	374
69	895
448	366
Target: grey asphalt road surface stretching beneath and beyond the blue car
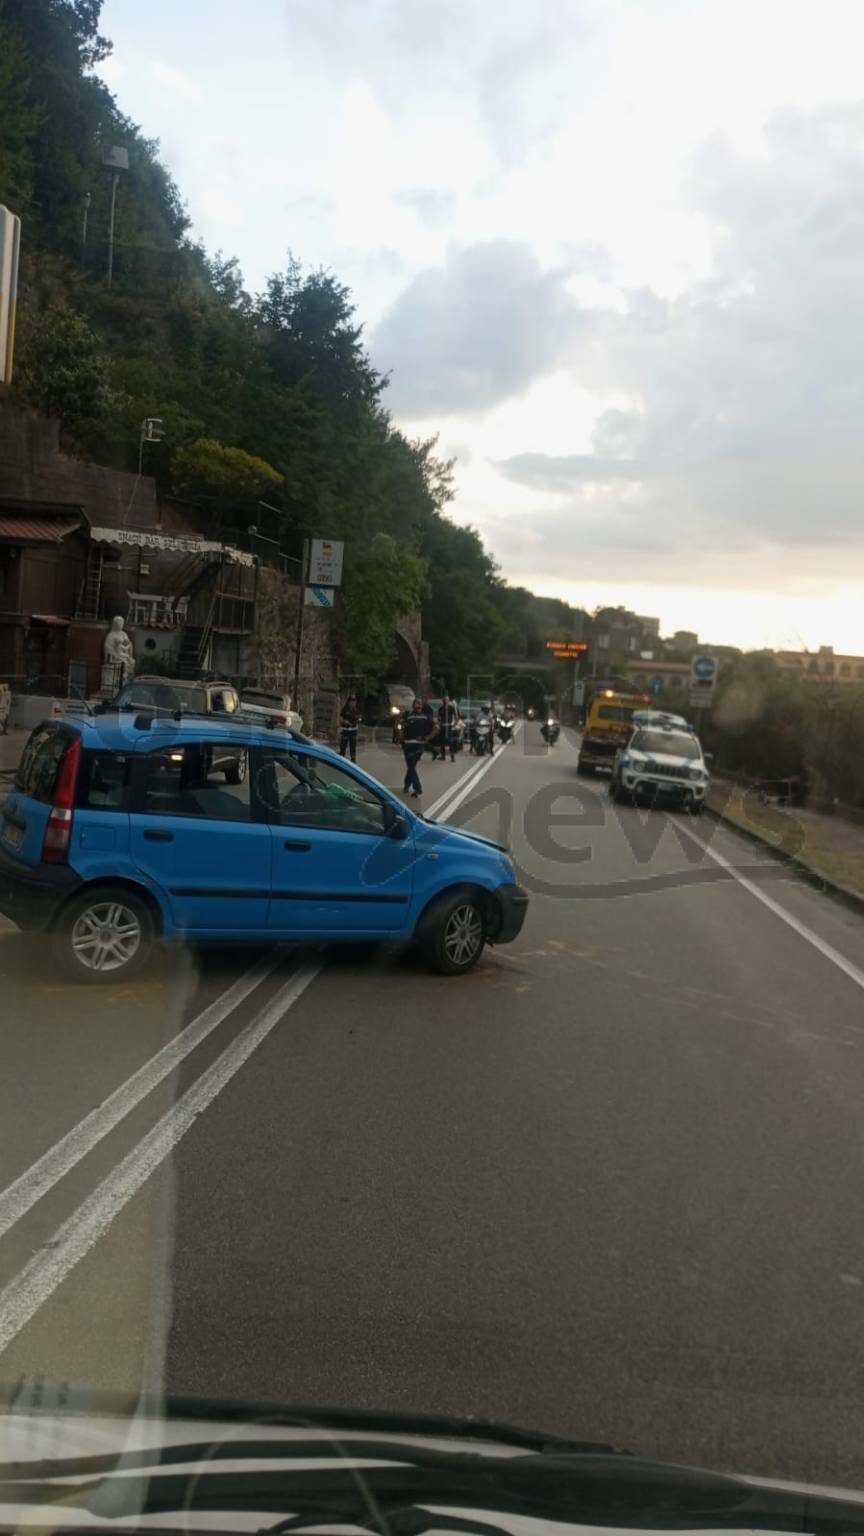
610	1185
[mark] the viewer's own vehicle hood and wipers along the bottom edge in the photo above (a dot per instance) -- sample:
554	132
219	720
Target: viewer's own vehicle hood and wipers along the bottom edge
78	1462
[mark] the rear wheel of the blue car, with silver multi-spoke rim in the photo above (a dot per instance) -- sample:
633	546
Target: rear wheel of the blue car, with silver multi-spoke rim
104	936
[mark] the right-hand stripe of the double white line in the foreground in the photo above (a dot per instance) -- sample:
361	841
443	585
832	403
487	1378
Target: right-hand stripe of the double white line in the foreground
76	1237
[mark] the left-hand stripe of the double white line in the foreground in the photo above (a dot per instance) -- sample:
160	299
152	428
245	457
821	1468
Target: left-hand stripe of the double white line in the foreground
42	1176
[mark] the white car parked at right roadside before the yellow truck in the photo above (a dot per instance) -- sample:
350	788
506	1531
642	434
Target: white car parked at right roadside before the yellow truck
662	763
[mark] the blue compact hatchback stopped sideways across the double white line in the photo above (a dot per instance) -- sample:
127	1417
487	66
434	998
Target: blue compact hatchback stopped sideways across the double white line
127	830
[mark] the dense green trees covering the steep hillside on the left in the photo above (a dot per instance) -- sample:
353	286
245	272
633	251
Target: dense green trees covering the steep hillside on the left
262	396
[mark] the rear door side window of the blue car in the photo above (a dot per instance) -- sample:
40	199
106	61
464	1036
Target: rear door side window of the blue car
185	781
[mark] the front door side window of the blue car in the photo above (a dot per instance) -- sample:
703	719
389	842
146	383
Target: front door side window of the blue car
301	790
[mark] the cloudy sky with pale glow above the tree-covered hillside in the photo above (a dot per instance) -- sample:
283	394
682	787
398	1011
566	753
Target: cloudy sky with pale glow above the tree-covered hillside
613	251
